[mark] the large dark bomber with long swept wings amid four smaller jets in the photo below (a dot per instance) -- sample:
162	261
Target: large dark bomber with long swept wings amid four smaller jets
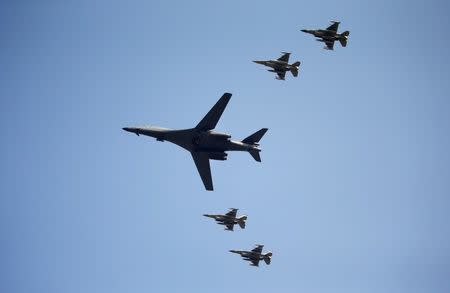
203	143
